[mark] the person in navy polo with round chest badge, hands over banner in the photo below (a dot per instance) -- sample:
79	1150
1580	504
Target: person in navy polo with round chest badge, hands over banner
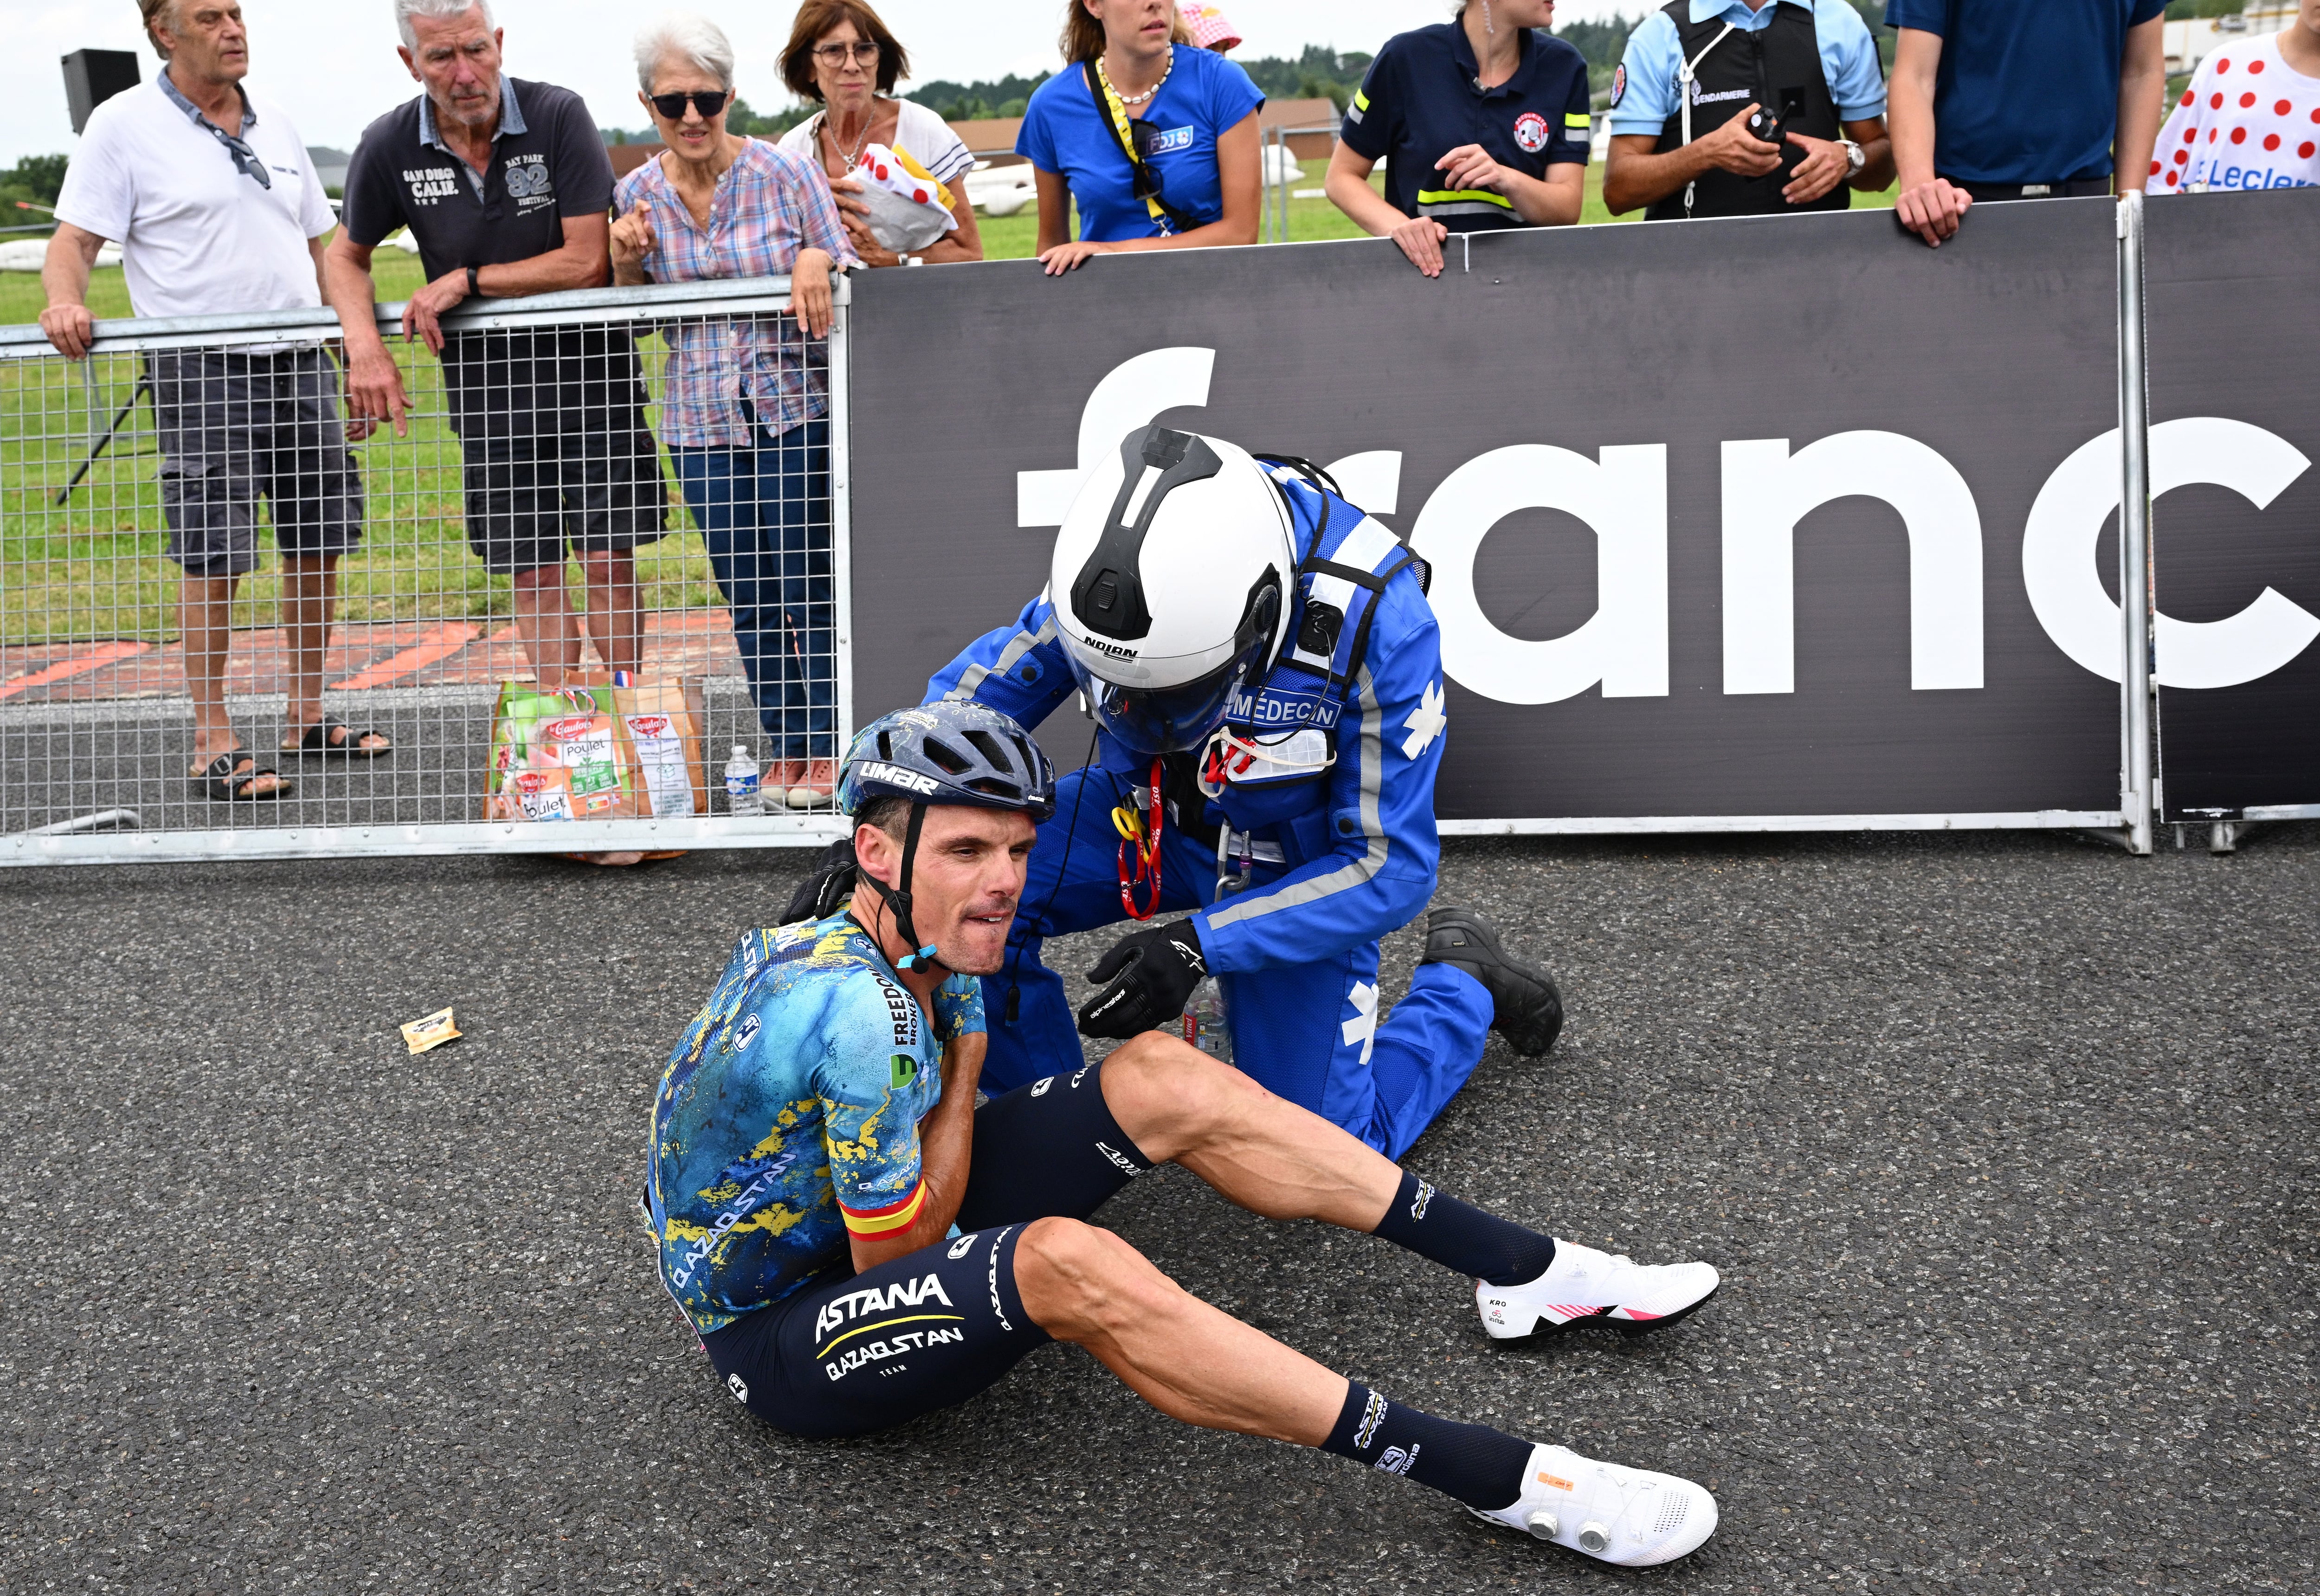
1484	122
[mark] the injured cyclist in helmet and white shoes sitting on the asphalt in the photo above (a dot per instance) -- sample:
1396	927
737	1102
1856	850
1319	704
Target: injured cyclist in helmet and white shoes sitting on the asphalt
860	1245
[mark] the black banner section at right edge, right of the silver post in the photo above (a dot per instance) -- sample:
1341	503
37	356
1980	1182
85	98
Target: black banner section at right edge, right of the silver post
2235	528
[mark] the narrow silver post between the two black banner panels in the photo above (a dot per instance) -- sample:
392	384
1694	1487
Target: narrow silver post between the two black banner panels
2136	795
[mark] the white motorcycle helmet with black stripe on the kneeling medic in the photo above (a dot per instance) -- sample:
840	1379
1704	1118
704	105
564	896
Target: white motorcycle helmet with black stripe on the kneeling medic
1170	586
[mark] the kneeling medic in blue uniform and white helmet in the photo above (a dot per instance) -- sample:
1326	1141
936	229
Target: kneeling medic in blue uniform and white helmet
1268	685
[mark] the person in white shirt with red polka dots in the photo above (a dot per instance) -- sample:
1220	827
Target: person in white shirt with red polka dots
2249	119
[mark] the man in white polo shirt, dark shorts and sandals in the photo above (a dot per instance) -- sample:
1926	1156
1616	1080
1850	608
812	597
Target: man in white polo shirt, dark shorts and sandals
219	208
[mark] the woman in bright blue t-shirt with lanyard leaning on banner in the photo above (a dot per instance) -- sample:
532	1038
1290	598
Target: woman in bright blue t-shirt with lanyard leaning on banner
1189	115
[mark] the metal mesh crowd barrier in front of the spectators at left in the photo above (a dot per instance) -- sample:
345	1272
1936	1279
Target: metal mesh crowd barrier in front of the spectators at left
96	723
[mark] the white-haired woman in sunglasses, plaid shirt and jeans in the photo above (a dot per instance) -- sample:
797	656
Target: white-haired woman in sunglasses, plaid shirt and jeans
746	398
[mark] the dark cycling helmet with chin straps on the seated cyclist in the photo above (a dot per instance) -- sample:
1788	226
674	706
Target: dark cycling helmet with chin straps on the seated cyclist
948	753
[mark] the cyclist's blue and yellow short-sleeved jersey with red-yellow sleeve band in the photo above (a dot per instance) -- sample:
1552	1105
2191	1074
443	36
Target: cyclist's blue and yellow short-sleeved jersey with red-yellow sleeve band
790	1117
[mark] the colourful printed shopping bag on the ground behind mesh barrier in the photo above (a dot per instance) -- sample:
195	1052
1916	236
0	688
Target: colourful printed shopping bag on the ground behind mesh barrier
560	757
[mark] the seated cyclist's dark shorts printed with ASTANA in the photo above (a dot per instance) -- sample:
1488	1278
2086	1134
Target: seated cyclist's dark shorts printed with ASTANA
855	1354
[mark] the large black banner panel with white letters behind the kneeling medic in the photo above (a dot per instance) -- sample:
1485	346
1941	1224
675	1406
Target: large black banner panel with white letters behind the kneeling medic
1727	518
